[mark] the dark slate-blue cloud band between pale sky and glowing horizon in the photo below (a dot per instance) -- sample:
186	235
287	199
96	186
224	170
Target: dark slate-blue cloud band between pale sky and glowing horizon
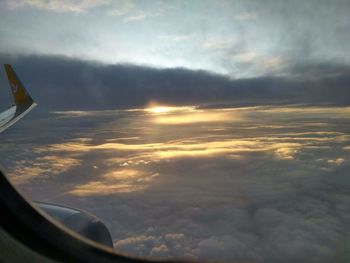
64	83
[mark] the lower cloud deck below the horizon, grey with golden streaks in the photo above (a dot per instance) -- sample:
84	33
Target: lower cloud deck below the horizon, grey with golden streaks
268	187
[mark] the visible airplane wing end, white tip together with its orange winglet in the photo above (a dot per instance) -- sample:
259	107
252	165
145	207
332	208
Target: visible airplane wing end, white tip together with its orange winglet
23	103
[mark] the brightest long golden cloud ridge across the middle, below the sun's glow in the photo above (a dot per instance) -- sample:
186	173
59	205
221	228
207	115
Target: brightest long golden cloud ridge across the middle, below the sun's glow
184	148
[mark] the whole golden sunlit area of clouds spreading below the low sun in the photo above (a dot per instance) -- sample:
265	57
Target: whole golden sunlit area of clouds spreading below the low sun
129	162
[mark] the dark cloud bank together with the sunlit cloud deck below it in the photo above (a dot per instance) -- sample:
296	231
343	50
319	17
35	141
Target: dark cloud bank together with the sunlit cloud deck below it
258	184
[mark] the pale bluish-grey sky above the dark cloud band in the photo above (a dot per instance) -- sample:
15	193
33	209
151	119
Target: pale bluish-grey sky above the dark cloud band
238	38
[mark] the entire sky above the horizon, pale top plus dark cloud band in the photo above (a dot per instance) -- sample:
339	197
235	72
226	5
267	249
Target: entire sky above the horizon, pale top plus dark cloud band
128	54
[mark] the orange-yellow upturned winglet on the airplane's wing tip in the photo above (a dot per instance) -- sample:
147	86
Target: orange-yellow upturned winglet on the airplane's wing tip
21	96
